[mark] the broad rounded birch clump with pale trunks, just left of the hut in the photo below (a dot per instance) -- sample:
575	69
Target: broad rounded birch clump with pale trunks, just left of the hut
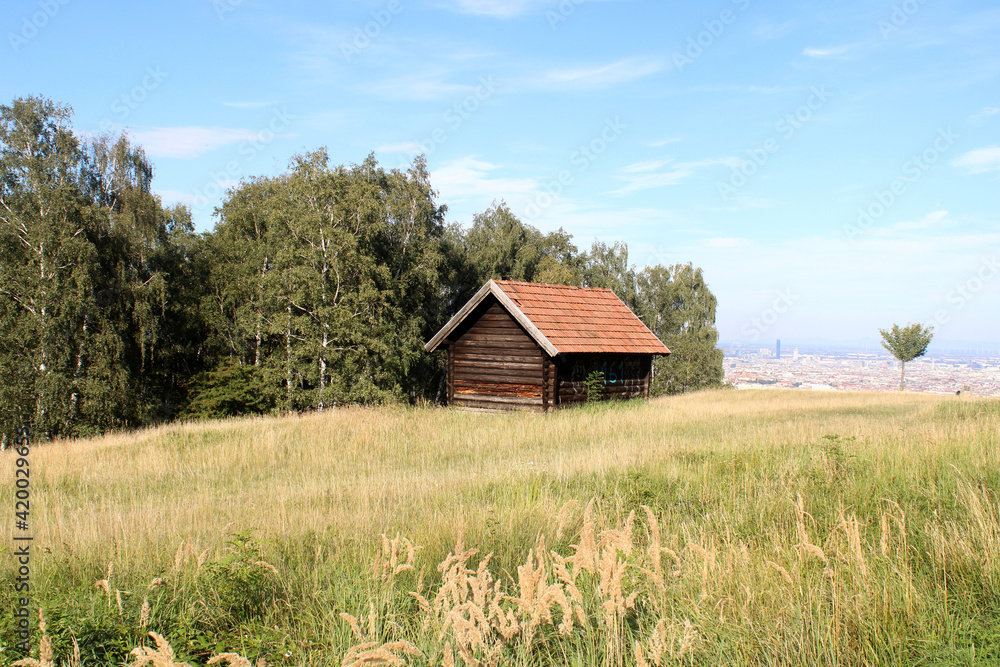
348	285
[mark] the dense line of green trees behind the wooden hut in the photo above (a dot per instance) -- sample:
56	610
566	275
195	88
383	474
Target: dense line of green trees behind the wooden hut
316	288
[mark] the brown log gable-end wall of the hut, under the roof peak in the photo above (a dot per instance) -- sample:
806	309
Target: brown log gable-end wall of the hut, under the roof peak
494	364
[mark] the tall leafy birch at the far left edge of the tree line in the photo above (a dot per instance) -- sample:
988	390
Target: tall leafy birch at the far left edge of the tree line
46	259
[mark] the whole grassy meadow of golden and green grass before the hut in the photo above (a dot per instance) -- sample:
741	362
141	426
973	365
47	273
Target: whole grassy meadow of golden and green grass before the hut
741	528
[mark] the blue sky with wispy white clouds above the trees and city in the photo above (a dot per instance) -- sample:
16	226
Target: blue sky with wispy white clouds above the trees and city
833	167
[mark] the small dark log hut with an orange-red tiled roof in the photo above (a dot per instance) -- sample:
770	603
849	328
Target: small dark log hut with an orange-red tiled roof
531	346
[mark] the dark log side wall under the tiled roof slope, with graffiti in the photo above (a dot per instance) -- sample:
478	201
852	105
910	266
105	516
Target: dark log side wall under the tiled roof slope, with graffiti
625	376
